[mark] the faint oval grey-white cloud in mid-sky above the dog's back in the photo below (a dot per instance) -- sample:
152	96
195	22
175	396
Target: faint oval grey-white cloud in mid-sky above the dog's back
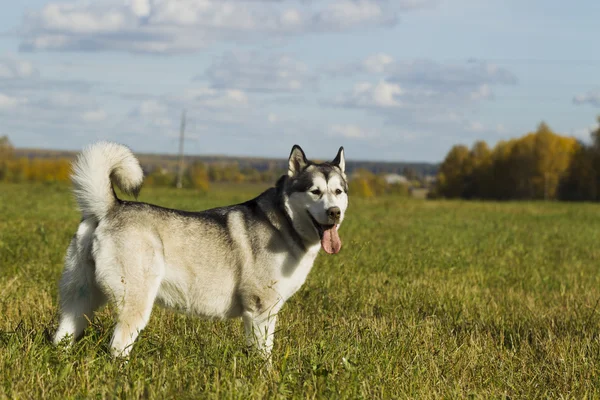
254	71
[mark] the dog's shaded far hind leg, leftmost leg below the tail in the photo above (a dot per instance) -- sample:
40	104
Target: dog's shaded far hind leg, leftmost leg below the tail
79	293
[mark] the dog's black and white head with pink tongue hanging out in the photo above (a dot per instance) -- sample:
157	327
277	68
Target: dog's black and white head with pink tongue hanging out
318	197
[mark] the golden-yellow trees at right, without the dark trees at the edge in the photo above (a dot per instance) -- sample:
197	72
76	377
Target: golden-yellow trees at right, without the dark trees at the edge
531	167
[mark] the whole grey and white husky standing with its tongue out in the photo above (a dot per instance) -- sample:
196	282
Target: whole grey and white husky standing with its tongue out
243	260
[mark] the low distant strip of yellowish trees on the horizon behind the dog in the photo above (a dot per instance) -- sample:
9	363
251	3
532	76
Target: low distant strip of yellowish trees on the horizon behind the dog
45	166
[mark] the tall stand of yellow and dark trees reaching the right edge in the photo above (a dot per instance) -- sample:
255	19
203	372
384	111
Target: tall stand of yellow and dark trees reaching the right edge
539	165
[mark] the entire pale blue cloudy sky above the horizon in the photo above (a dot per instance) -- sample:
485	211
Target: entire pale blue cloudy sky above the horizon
397	80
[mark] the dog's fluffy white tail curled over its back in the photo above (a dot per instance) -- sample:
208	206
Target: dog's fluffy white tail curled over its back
94	171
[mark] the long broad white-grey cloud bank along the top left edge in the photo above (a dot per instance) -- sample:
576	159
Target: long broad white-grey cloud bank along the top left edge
167	26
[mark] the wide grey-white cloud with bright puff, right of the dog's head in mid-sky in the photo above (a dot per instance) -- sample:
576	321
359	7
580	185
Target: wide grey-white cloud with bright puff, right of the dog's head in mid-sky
424	94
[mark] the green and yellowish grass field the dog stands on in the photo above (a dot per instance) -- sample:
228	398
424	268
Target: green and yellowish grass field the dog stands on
426	300
